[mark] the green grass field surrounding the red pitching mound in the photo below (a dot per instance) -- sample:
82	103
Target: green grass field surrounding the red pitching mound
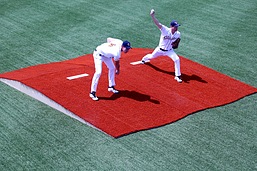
218	34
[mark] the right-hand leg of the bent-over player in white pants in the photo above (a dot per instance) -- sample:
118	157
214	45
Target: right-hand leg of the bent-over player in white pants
111	74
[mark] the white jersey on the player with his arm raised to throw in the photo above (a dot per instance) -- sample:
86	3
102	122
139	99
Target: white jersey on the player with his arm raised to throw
167	38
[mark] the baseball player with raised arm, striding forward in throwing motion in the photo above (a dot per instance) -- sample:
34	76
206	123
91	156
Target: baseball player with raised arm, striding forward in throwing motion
169	40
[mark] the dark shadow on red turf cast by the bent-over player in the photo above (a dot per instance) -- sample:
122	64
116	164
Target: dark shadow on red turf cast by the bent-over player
132	95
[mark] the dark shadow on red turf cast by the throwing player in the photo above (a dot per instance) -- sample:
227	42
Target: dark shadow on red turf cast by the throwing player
186	78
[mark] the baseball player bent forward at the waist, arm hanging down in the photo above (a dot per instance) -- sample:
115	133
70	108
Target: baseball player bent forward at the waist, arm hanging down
107	52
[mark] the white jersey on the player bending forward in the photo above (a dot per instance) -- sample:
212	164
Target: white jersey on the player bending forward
111	49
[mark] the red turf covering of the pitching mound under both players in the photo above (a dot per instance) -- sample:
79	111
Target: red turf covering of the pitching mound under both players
149	96
